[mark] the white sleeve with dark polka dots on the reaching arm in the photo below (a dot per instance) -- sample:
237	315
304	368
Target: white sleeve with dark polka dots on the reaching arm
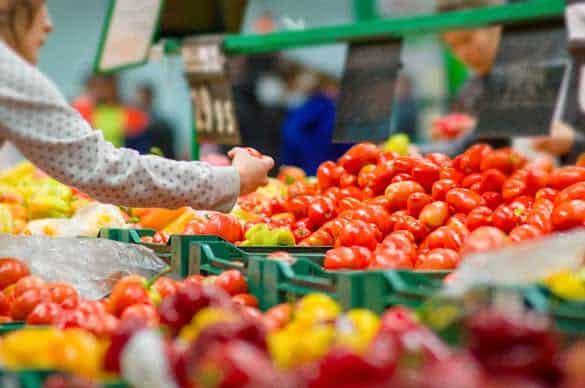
37	119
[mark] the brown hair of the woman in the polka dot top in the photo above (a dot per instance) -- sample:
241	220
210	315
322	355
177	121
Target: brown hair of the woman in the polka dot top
16	17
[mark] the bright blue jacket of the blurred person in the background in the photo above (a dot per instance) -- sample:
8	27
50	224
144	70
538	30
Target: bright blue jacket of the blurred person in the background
307	134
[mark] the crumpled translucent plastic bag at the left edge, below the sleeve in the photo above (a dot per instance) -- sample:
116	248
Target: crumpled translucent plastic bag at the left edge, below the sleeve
91	265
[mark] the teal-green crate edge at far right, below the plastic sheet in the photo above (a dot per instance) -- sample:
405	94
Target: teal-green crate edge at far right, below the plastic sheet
568	316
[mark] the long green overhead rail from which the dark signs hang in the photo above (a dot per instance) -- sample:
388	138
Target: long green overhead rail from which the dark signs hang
369	30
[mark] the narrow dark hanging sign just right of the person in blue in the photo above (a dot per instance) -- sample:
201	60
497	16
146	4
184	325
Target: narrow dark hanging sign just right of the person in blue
367	91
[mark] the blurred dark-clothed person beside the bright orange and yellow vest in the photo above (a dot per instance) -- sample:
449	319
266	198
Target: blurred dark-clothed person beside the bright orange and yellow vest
159	132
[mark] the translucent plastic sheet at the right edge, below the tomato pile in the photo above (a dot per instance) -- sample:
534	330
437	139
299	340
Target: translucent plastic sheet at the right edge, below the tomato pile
521	264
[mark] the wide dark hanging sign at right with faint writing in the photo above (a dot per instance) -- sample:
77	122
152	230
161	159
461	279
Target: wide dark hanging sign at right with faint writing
521	93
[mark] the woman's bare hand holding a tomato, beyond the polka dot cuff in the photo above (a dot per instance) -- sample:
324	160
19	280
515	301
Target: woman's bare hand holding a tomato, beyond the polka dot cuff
252	166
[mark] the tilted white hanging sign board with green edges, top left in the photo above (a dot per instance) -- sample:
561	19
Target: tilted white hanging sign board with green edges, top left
128	34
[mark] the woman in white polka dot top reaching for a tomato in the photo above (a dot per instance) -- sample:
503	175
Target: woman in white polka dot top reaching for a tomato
38	120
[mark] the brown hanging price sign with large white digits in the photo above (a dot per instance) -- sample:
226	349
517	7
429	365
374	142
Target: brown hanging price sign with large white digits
211	93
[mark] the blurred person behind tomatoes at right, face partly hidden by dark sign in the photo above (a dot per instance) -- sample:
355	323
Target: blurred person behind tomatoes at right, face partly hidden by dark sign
477	48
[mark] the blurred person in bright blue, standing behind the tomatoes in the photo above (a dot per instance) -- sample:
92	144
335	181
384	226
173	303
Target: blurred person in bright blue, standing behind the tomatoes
307	132
